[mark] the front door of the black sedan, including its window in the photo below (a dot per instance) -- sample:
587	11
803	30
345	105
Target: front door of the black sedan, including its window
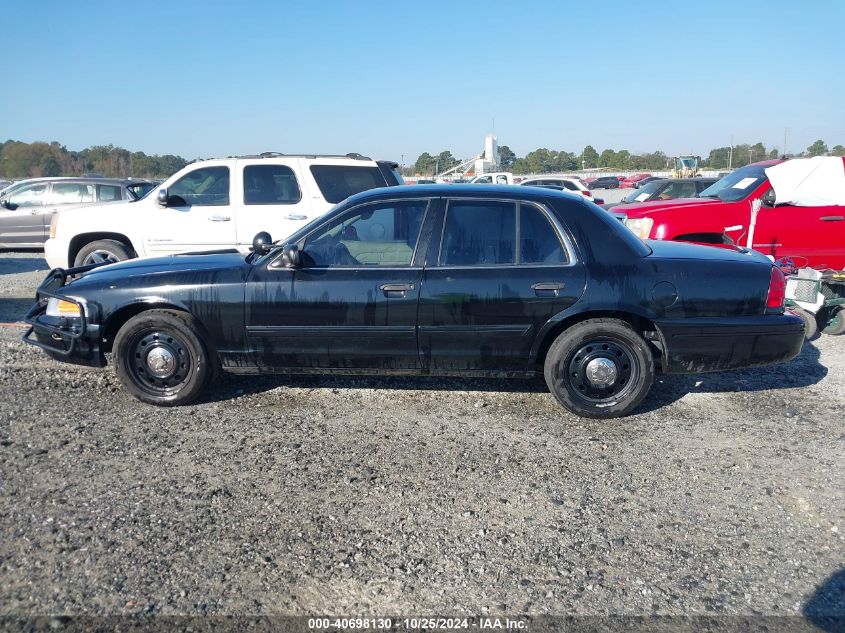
352	302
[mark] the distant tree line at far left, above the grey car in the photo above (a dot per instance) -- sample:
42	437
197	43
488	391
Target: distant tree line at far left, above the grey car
32	160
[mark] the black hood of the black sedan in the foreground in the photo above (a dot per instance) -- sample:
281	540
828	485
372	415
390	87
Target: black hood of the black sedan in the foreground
201	262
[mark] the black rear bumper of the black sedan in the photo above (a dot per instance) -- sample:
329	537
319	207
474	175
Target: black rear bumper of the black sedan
715	344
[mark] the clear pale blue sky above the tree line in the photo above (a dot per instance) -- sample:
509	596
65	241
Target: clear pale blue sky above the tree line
212	78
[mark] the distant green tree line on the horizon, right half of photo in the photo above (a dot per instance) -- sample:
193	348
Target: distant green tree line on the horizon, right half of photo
544	160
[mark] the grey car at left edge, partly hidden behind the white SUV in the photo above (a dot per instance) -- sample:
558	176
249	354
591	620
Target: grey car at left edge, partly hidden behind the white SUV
28	206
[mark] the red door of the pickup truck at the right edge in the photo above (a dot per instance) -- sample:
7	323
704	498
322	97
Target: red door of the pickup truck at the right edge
810	236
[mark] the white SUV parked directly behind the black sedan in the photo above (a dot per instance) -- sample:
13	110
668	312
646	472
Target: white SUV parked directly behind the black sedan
215	204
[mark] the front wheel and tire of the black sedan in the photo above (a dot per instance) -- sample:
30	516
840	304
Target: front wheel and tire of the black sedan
154	377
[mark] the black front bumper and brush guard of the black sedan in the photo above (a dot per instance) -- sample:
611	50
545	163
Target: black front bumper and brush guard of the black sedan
70	340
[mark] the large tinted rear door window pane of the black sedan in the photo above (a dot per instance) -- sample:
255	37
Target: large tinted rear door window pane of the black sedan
479	233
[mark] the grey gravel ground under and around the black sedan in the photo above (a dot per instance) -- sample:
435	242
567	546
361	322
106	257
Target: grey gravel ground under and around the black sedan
722	495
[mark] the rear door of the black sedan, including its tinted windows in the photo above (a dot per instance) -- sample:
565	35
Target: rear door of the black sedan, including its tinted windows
502	271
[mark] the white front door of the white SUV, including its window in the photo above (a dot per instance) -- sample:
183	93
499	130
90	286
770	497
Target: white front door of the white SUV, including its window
199	214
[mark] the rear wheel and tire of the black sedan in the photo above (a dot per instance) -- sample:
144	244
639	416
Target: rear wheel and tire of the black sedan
567	368
